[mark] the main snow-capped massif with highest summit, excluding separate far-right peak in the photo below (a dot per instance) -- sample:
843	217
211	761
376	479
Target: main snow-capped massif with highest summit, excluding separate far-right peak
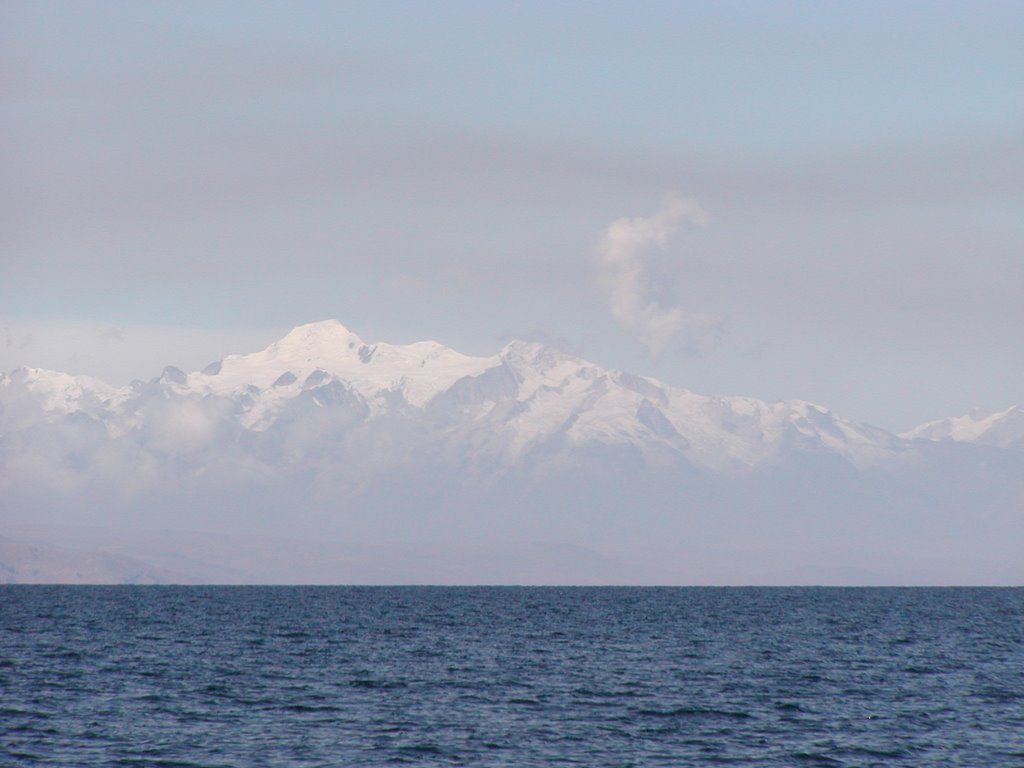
527	397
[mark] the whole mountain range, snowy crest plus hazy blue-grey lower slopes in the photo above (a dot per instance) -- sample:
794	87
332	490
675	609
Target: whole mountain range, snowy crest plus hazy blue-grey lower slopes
327	438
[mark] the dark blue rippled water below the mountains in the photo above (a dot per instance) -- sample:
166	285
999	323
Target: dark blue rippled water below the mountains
336	676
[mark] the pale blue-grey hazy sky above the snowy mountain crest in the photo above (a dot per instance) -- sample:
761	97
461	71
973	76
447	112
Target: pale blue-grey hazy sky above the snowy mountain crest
788	200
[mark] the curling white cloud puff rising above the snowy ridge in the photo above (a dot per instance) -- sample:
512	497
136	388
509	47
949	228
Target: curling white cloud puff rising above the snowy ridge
635	300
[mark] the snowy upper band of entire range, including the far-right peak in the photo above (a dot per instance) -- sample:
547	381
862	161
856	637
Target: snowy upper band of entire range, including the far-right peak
553	393
